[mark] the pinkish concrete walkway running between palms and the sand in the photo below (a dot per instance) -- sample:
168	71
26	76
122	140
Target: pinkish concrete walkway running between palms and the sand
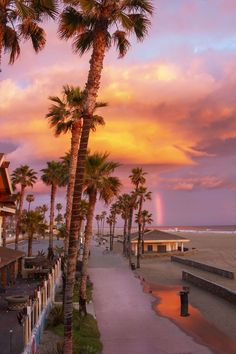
126	320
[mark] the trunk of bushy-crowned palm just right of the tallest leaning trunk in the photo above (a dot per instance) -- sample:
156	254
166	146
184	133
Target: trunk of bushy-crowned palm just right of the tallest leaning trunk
87	239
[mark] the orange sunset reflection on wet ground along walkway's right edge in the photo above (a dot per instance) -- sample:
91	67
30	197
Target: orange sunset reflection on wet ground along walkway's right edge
168	305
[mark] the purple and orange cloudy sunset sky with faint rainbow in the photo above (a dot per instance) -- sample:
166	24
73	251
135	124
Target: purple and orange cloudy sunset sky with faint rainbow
172	107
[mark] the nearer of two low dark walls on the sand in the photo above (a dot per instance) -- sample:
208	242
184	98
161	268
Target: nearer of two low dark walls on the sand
211	287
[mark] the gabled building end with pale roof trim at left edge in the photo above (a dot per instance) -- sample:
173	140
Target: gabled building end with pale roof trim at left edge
7	204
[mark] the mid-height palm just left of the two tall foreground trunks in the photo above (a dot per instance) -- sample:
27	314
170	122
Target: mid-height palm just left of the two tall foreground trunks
54	177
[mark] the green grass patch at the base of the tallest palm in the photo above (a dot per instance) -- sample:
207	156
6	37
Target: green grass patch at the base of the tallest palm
86	336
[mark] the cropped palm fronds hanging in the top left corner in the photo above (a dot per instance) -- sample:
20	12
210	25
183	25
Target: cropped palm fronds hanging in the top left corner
19	20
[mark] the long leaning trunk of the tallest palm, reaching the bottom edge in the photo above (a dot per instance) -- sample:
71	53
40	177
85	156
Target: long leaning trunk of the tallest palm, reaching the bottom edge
91	91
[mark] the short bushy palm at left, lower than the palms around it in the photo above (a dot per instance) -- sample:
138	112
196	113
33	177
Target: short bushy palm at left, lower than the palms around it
31	222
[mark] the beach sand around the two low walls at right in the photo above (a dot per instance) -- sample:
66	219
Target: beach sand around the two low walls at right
214	249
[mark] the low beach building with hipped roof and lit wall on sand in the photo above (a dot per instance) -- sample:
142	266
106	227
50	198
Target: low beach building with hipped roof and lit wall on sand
156	241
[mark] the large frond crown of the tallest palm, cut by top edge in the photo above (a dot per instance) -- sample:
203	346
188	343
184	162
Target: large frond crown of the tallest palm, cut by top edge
116	19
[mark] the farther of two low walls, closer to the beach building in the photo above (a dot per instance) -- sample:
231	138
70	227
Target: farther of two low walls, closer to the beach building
189	262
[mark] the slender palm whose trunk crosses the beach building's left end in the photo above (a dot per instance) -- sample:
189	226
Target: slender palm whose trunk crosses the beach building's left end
142	195
